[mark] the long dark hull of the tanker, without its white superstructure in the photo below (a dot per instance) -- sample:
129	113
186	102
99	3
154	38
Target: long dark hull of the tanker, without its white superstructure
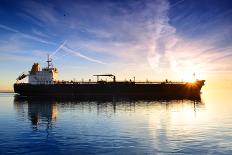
101	89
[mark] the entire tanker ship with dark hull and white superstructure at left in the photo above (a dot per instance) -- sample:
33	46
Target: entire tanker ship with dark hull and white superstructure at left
44	83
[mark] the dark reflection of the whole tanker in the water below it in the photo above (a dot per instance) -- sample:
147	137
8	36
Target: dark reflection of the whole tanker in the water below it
44	111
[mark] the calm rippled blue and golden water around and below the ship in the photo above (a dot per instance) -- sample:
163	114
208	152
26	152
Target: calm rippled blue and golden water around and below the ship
117	126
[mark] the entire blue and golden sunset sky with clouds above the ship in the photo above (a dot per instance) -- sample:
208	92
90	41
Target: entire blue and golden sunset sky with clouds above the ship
150	40
